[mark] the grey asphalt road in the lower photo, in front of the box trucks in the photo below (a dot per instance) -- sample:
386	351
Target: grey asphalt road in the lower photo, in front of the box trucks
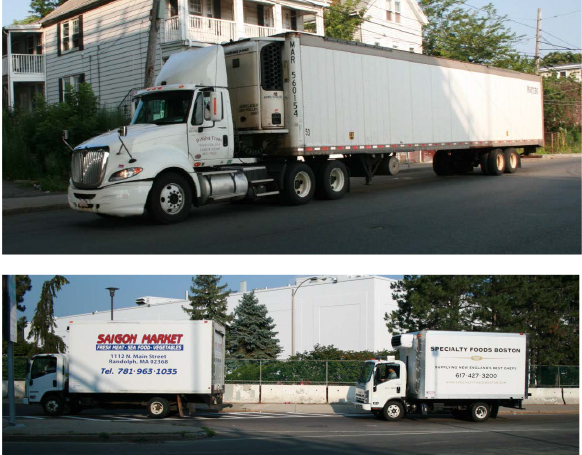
346	434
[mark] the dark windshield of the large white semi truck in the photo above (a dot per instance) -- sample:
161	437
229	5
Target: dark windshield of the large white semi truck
163	108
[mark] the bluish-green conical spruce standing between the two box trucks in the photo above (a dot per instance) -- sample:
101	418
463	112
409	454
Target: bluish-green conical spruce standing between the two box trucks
252	335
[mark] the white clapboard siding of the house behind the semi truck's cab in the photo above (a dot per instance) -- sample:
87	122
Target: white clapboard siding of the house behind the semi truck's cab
115	38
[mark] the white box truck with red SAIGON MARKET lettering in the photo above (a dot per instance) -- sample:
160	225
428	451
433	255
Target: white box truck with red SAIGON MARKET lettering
162	365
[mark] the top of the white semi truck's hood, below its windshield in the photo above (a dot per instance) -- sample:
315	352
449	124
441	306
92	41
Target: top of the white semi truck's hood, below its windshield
136	134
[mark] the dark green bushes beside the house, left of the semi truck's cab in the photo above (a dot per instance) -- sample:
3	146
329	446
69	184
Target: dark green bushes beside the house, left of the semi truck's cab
32	142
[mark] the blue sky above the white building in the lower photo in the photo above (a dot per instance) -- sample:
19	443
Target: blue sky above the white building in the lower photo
85	294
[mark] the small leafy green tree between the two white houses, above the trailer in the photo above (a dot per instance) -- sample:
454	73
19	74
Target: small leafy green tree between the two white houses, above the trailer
342	18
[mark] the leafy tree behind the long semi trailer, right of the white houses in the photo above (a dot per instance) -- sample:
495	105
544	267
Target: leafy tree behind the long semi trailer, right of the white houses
472	35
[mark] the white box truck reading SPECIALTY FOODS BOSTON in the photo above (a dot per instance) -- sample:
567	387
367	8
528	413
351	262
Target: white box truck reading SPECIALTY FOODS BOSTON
471	374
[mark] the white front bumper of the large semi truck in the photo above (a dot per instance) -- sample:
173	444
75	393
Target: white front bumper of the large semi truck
122	199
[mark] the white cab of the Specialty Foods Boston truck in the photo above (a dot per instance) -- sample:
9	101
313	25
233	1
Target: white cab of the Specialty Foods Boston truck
381	388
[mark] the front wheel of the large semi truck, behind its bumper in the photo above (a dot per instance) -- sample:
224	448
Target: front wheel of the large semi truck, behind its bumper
170	198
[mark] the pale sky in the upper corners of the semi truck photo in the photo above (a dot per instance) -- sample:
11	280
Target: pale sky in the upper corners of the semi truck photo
562	31
